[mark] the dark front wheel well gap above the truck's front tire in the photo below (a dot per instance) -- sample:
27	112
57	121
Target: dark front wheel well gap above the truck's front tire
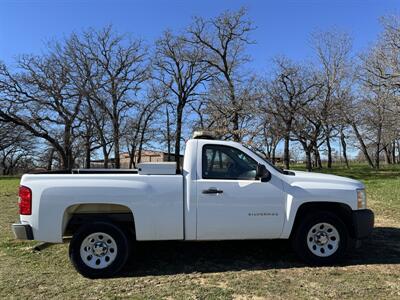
343	211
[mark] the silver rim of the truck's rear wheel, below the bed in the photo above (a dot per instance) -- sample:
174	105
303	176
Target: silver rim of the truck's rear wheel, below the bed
98	250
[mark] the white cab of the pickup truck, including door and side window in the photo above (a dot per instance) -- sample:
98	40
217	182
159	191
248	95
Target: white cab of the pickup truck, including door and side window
229	200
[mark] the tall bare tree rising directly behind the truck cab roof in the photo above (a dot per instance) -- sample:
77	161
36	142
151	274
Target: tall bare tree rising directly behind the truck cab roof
225	39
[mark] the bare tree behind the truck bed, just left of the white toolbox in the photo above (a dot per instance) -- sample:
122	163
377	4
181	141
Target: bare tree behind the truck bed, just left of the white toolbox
120	68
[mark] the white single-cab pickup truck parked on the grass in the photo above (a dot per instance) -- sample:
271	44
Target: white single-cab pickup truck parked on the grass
225	192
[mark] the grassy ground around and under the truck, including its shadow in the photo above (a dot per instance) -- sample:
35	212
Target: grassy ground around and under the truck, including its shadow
243	269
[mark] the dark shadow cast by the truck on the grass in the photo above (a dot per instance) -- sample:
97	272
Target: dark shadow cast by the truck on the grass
167	258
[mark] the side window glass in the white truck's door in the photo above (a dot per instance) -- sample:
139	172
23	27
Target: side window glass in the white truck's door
224	162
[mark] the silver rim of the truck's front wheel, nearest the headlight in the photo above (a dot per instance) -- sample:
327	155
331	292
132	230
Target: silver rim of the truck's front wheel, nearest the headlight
323	239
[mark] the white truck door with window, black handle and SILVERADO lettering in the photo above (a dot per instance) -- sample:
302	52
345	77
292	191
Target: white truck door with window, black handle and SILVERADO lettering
231	203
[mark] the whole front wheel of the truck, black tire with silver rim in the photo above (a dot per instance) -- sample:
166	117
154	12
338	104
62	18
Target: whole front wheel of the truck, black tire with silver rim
321	239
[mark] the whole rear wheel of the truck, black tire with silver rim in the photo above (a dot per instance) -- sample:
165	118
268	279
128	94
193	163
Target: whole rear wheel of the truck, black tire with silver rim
99	250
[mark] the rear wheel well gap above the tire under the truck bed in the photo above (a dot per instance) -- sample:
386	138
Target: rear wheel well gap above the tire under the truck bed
77	215
